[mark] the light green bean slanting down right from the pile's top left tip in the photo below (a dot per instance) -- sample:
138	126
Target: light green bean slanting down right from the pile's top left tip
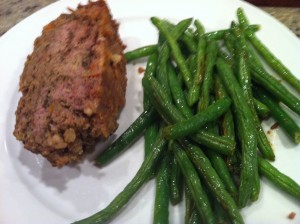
175	50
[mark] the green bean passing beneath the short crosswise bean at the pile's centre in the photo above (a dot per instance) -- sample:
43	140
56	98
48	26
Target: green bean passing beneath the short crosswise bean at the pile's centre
172	115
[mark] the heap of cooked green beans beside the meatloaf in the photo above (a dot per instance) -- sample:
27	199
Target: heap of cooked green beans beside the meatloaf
205	95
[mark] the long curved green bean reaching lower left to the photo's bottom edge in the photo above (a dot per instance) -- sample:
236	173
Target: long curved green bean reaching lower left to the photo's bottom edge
142	175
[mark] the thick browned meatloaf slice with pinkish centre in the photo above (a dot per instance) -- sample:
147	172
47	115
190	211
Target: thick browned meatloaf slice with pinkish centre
73	85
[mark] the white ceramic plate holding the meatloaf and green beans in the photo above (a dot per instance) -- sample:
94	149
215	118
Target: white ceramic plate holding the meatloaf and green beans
34	192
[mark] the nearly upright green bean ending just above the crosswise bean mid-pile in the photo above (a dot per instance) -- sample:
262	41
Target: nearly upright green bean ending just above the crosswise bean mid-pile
211	56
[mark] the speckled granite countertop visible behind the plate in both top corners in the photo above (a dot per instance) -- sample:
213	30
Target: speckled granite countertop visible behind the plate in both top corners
13	11
